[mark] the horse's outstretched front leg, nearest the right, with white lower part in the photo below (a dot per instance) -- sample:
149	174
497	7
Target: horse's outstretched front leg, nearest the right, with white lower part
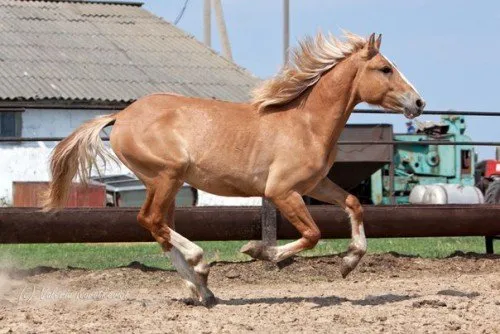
329	192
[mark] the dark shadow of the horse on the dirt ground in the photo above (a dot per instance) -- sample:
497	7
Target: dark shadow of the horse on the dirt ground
319	301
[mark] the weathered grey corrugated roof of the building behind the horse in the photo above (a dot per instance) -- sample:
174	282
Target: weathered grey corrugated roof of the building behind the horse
83	51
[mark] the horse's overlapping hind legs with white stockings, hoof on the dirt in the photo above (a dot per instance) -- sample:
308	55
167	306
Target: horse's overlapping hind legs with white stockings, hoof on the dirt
186	256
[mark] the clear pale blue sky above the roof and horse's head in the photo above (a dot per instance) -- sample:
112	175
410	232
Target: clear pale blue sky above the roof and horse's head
449	49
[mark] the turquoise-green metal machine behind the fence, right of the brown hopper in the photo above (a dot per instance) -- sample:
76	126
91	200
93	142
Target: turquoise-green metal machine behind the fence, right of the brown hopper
424	165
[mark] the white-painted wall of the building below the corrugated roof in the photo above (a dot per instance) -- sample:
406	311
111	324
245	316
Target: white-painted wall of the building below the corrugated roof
29	161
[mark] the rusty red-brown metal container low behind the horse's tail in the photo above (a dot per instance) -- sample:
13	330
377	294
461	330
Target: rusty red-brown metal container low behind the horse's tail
29	194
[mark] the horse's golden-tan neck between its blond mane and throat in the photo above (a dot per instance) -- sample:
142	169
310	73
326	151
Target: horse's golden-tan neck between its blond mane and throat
330	103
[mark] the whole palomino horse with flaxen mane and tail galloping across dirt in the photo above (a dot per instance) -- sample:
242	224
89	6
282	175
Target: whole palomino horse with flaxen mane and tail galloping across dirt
281	147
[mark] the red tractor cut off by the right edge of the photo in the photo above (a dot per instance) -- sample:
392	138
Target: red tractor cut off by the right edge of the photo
488	180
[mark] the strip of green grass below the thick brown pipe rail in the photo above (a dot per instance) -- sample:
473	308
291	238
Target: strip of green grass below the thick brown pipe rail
100	256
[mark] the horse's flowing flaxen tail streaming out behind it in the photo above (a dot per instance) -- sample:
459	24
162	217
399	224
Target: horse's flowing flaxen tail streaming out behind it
77	153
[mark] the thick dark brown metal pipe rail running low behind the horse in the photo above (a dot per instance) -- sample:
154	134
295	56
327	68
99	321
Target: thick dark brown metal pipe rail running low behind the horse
30	225
